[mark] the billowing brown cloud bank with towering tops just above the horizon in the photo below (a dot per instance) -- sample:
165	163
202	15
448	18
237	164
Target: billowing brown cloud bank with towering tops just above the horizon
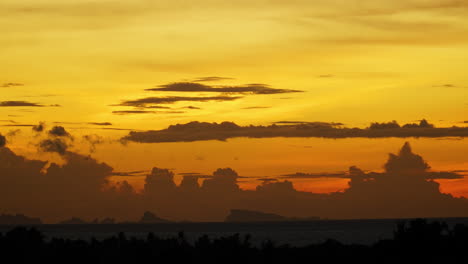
405	189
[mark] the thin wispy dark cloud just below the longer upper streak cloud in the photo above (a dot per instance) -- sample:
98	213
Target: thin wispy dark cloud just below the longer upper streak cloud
150	102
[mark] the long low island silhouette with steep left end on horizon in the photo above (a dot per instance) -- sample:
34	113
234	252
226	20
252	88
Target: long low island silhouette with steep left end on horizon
238	215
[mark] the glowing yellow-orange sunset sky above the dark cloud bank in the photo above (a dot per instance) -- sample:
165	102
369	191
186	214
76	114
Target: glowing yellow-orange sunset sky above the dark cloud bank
101	69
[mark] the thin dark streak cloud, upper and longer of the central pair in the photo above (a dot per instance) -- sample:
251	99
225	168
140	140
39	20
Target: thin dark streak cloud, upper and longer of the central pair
242	89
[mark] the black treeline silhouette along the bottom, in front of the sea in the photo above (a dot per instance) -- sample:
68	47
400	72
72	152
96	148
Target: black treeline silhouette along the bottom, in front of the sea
416	241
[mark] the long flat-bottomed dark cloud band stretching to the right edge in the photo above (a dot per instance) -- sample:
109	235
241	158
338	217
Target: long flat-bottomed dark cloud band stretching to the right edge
199	131
